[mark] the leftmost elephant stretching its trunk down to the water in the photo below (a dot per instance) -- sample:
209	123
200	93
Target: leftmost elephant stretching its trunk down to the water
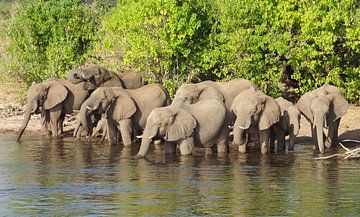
53	99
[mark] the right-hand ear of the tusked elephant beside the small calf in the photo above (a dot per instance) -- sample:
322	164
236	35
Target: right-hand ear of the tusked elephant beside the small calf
271	113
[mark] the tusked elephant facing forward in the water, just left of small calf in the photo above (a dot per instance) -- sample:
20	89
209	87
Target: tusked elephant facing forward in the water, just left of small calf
256	113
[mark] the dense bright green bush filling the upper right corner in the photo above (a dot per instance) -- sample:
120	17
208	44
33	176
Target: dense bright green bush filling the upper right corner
306	43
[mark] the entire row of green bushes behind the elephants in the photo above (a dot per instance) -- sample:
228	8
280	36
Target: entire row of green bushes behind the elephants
302	43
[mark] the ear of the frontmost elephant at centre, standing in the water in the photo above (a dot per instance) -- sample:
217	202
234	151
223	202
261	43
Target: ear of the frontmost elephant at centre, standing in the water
182	127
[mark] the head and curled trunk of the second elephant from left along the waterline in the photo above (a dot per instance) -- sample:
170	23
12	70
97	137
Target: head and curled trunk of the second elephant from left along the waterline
115	102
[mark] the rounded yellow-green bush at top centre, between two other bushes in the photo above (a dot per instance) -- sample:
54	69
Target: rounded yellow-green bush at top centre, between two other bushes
163	39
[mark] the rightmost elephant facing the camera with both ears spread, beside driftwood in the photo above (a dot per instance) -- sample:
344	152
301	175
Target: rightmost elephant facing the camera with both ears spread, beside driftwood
323	107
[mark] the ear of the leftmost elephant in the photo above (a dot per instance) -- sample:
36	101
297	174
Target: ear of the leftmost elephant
56	94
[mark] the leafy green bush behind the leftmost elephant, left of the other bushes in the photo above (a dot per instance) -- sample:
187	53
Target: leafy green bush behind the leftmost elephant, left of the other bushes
49	37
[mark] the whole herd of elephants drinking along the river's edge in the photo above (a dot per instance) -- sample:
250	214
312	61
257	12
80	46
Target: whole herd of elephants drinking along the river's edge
123	108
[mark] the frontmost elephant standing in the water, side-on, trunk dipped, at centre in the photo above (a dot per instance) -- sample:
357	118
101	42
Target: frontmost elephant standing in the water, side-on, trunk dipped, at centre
200	123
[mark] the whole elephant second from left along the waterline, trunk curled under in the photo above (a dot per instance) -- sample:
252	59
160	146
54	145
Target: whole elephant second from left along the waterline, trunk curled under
126	110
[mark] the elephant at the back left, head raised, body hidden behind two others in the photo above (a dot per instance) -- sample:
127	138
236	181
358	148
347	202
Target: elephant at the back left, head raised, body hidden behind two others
98	76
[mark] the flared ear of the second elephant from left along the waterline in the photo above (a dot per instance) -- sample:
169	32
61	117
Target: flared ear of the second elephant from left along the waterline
123	106
